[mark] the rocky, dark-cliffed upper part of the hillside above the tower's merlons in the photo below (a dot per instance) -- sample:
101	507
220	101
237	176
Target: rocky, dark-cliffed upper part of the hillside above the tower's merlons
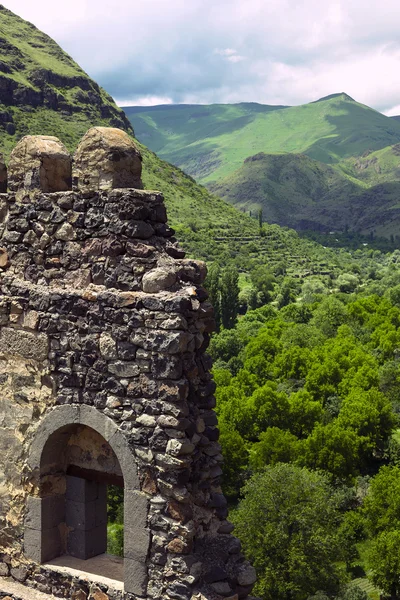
43	90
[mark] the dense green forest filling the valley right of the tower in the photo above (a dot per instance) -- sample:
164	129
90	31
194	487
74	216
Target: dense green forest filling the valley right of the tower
308	403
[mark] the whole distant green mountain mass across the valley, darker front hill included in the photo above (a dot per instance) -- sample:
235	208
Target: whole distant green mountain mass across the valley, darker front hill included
330	164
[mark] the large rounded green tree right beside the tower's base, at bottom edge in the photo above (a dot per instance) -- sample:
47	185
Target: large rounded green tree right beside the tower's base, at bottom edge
288	522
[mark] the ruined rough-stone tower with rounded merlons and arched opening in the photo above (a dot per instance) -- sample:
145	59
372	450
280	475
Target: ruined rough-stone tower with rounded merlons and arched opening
104	380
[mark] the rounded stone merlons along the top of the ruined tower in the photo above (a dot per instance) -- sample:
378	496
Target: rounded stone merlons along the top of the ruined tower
106	158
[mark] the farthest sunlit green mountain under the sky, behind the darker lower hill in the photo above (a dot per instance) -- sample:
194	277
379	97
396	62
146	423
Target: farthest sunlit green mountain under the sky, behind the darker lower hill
210	142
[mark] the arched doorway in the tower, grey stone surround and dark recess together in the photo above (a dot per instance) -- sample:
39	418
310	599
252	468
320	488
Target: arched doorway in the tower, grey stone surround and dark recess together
77	452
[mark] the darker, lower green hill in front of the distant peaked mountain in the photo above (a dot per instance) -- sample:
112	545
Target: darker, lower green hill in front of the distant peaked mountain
297	191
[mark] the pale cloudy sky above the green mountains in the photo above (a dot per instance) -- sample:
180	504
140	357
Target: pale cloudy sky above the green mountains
203	51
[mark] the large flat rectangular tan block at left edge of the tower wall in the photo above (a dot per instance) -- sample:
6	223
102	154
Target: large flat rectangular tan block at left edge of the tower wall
23	343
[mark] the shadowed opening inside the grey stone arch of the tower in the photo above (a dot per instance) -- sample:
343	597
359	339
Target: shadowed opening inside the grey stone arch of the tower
78	470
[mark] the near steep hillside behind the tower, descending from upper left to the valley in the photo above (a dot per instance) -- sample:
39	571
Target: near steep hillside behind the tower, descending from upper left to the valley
43	91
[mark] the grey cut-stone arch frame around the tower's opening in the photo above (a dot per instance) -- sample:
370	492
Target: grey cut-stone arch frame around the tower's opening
45	510
